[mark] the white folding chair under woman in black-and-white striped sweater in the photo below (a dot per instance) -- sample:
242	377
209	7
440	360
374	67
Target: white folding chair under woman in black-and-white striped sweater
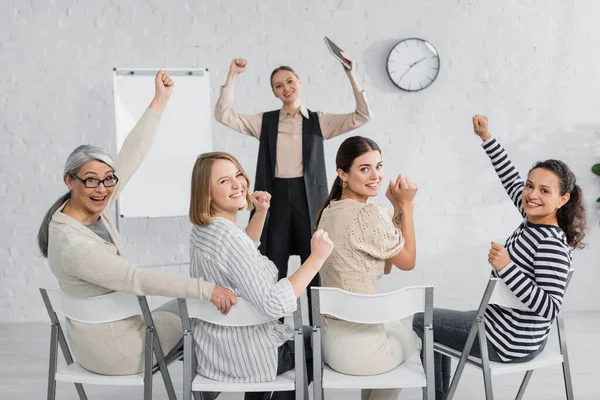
497	292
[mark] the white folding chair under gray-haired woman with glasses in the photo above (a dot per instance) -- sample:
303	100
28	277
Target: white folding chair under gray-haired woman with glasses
97	310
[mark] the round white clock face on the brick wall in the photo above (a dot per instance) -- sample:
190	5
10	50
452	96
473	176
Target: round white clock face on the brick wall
413	64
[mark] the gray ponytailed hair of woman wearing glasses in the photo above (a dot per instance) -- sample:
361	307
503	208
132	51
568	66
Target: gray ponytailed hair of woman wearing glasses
75	161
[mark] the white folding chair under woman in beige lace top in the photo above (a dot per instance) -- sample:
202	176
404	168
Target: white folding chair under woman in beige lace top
375	309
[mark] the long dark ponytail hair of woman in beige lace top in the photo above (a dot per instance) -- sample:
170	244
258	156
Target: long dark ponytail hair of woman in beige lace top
350	149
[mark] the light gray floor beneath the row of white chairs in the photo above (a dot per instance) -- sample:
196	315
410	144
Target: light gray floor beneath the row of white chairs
24	355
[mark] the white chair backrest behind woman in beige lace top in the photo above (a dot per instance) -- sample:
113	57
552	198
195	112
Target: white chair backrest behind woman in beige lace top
372	308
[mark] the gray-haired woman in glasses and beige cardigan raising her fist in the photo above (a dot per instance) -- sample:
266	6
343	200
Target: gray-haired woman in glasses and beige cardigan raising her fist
84	251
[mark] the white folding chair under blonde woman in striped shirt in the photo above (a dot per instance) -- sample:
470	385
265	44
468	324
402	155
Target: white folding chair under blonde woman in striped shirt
242	314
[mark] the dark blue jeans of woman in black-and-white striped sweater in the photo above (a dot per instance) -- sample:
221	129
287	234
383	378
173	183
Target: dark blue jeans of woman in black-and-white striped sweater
451	328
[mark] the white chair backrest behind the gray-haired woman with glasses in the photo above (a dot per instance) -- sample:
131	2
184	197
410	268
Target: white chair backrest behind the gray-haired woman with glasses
109	307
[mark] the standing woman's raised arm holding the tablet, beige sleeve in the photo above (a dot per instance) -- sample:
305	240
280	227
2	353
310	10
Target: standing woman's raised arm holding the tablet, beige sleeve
333	125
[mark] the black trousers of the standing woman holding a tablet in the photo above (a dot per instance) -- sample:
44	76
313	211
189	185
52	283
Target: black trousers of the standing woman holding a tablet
290	228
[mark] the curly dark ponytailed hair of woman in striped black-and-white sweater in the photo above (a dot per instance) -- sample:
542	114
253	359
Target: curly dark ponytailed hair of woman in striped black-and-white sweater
572	215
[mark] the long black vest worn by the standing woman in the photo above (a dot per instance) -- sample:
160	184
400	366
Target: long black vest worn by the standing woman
313	159
